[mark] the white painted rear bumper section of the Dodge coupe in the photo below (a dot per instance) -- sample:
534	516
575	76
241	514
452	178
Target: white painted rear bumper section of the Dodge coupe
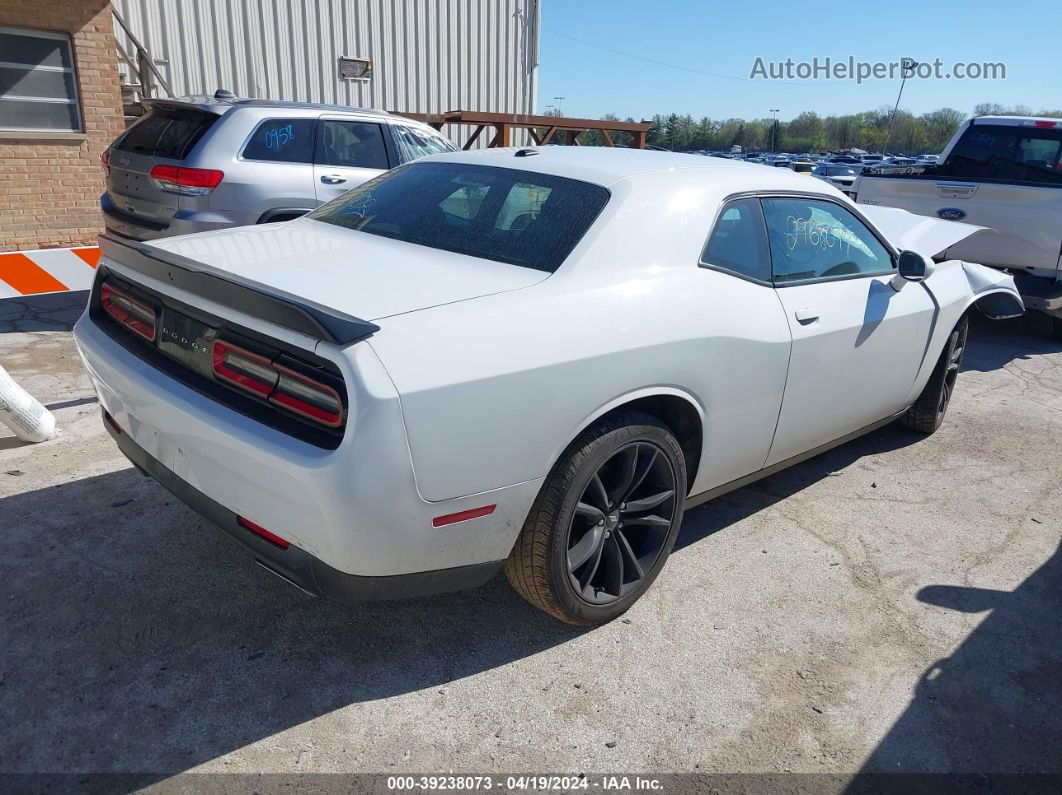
355	508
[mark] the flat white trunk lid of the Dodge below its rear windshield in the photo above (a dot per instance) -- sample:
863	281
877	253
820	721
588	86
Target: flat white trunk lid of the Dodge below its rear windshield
363	275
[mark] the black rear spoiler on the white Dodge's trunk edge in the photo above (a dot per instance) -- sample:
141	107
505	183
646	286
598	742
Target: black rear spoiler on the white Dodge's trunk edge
189	275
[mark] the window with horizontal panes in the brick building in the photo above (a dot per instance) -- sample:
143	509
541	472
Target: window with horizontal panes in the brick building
39	88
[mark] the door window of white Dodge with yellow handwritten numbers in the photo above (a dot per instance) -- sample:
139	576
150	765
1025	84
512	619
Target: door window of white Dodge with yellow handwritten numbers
813	239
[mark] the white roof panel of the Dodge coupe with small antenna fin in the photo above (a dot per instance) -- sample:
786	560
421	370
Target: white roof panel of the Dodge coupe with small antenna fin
608	165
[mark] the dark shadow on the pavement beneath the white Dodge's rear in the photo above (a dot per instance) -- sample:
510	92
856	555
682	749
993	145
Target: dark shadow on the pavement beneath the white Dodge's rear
140	638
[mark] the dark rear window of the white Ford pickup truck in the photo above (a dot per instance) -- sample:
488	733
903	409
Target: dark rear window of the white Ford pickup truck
1020	154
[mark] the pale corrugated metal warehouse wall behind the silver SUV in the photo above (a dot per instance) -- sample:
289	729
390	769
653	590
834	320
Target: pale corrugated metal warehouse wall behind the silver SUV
429	56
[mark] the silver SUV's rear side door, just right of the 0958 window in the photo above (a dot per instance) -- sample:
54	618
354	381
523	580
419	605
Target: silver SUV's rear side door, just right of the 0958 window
350	152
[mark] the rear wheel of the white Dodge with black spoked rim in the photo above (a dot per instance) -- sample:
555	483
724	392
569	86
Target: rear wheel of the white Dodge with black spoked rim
586	512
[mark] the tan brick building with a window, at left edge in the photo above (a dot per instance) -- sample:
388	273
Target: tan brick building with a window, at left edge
61	107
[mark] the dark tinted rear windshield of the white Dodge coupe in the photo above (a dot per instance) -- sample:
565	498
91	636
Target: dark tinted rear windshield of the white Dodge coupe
509	216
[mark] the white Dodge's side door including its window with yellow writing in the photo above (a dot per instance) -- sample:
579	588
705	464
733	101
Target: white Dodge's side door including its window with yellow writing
858	342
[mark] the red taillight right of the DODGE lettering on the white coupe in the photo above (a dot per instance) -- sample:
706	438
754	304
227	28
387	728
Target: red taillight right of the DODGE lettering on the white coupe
279	385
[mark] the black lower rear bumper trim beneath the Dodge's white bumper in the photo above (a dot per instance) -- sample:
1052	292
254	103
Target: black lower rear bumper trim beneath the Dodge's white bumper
296	565
